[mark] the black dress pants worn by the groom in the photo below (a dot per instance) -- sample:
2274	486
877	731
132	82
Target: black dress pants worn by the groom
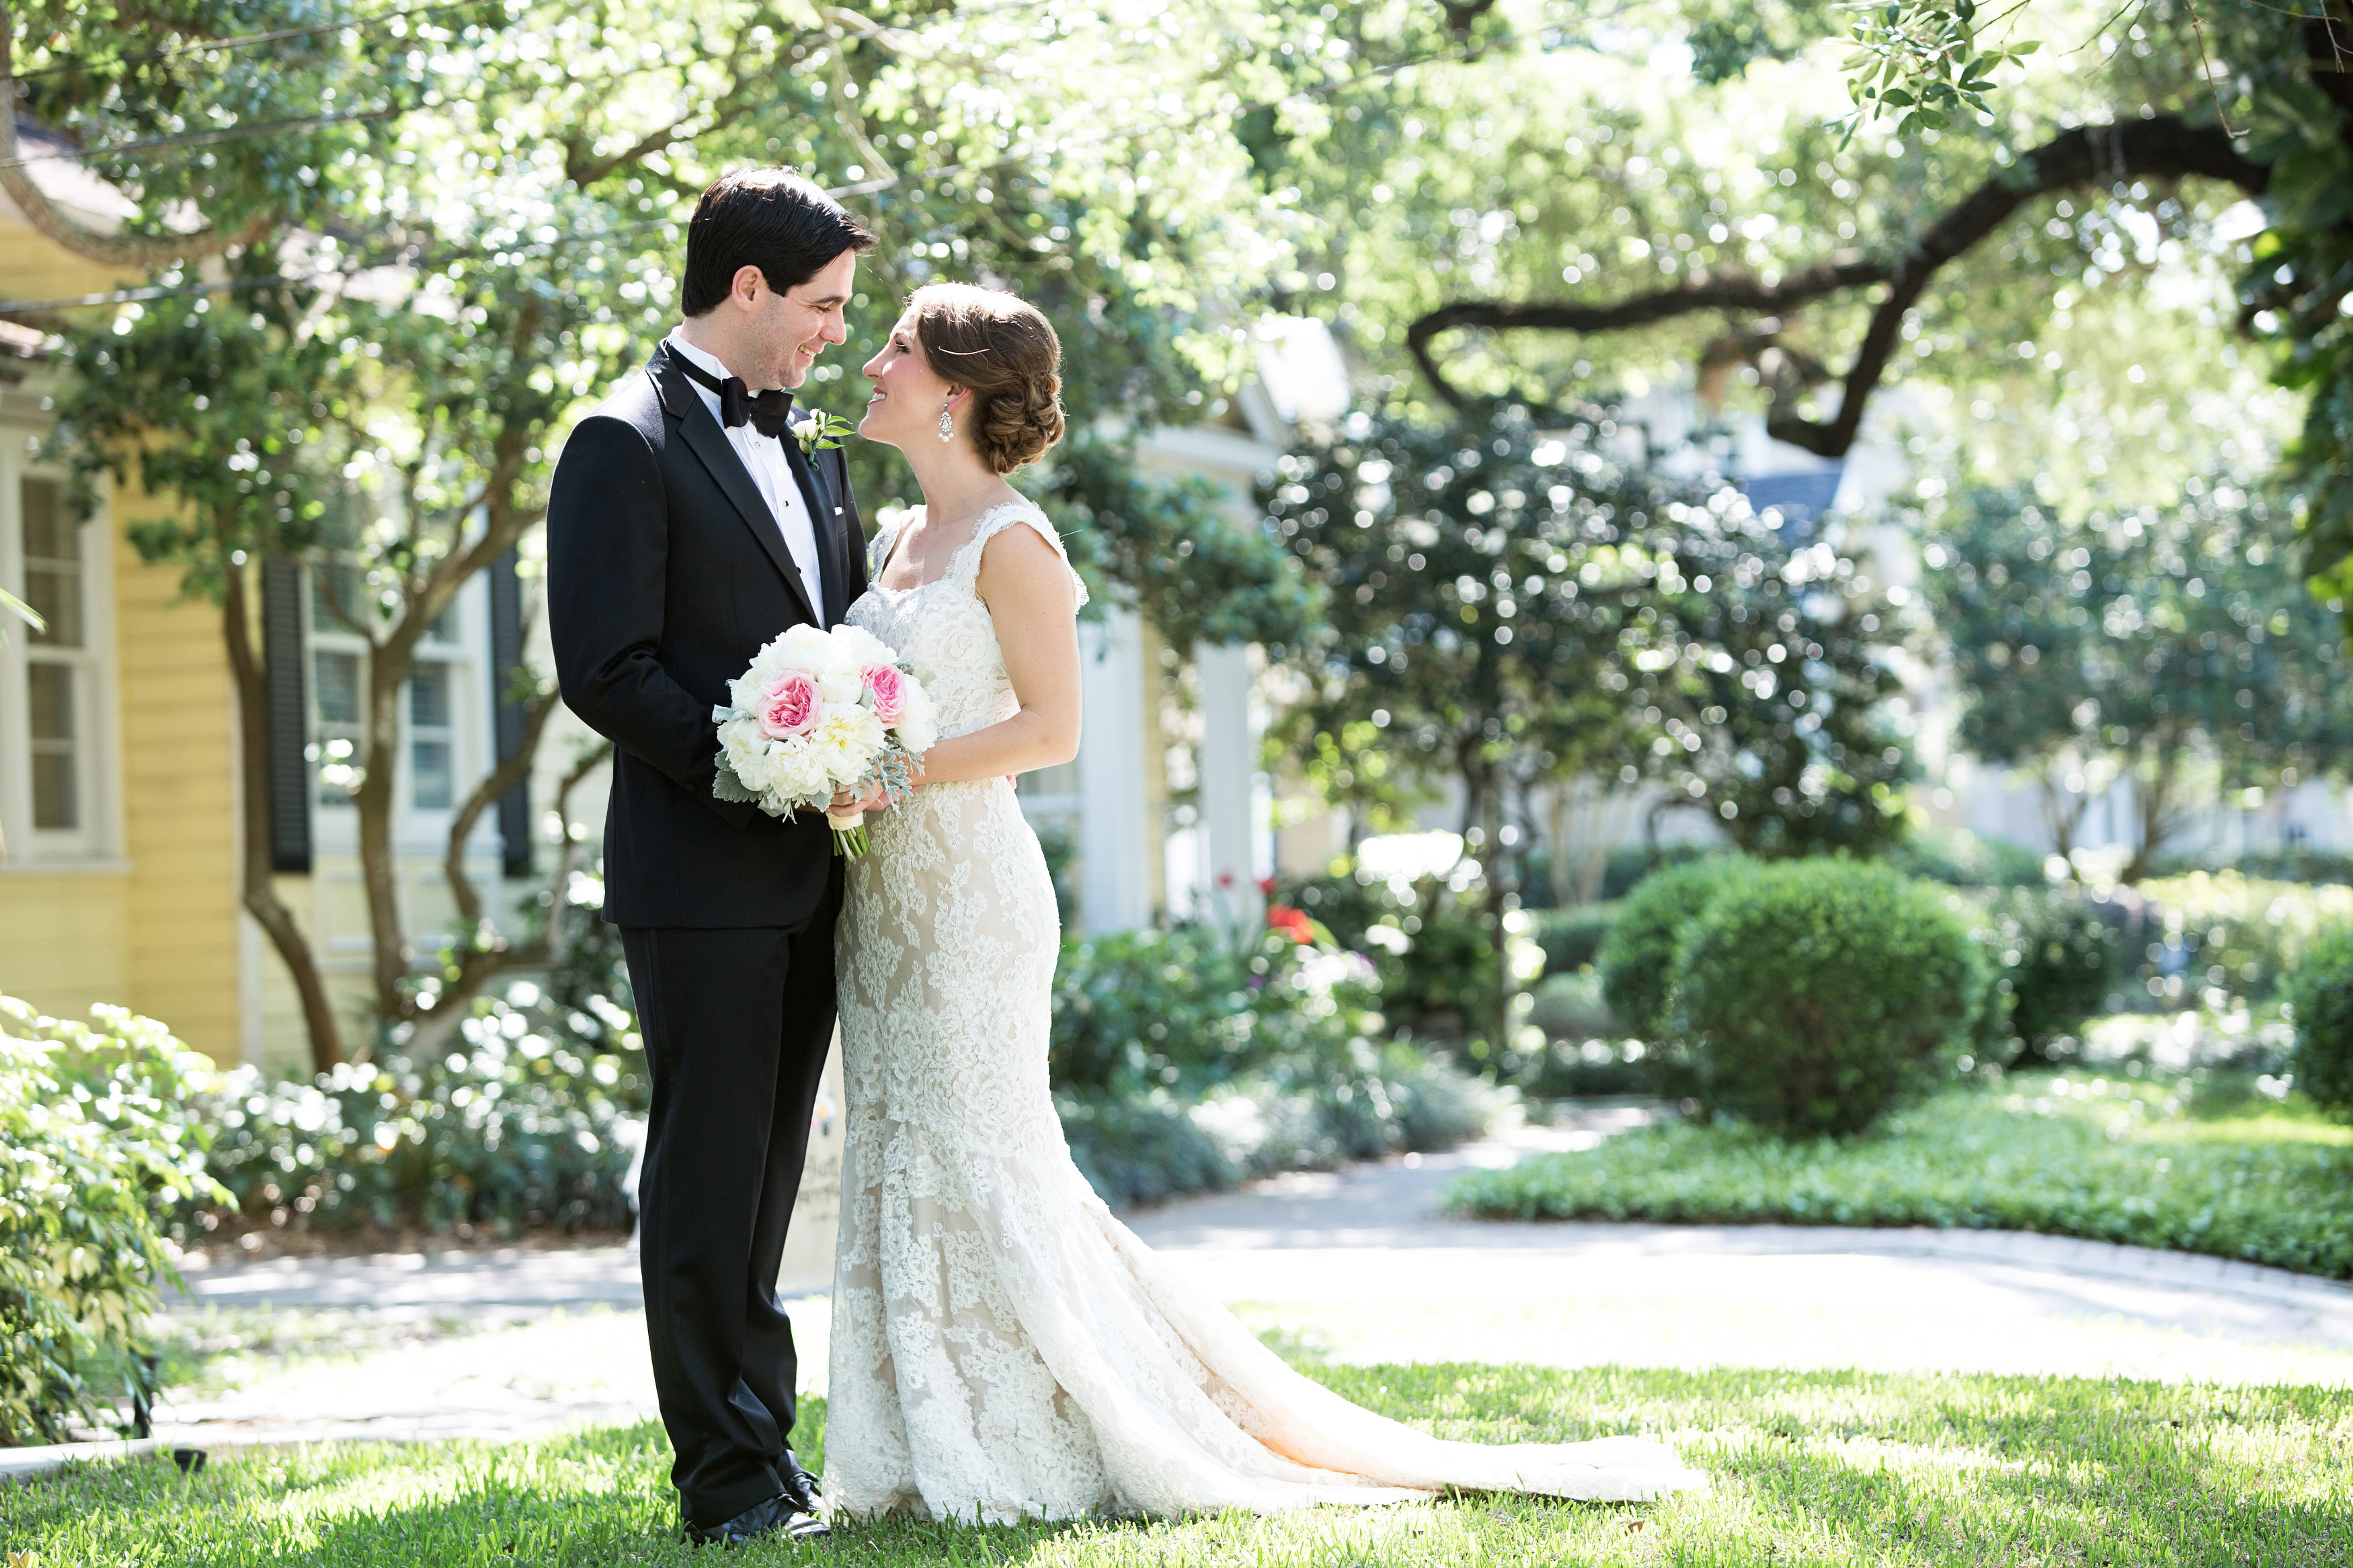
735	1028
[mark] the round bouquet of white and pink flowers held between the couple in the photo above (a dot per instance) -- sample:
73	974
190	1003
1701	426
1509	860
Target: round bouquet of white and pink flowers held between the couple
820	713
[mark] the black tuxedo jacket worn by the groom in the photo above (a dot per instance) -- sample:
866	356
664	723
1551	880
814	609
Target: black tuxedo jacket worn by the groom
667	572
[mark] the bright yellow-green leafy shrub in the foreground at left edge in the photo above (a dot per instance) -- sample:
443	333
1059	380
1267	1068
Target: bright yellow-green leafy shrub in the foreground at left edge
98	1158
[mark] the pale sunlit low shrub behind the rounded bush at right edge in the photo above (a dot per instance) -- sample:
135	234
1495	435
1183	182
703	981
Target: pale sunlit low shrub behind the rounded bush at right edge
2234	934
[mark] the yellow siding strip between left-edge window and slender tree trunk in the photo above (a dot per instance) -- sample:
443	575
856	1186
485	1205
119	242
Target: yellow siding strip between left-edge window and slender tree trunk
180	803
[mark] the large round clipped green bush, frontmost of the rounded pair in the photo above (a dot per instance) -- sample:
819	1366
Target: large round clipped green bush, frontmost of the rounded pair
1818	996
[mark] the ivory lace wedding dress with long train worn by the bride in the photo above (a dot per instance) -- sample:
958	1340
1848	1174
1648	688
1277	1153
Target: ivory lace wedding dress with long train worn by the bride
1001	1343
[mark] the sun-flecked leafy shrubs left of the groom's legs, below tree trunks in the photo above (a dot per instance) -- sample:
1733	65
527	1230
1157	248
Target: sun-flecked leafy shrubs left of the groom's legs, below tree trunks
521	1125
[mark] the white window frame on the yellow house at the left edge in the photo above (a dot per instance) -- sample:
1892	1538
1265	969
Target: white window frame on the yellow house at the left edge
95	843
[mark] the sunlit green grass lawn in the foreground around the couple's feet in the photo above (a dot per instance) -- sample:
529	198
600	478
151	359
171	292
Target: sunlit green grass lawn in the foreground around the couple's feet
1811	1468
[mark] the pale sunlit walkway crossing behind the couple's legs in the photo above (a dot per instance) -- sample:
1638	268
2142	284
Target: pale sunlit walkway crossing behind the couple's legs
1352	1266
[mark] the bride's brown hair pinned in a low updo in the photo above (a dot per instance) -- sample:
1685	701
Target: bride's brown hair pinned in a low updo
1008	356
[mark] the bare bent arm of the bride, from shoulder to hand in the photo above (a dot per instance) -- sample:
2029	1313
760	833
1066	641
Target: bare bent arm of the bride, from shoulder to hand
1034	608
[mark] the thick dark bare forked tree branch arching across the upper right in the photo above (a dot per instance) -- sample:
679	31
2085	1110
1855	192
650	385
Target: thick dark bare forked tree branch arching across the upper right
2091	156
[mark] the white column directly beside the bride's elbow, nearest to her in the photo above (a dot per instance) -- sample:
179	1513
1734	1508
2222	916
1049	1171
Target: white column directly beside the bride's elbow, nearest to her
1114	815
